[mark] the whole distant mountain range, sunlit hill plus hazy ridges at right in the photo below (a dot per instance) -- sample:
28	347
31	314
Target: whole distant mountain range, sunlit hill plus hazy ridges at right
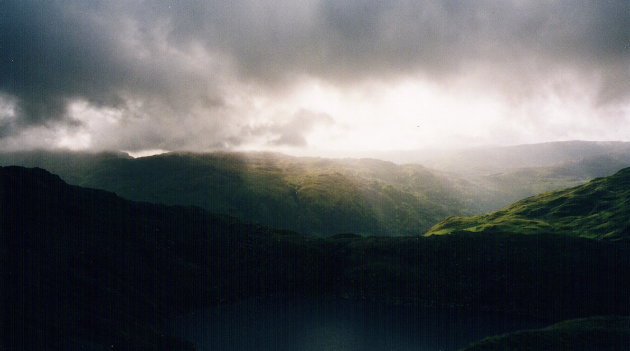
325	197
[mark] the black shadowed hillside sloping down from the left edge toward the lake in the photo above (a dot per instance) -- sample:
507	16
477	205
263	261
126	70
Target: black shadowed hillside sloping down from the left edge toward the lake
82	267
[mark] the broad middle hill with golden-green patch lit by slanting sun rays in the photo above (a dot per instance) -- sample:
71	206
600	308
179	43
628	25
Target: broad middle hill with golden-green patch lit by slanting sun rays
309	195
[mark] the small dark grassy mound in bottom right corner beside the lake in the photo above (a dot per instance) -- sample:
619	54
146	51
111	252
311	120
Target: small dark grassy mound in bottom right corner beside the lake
587	334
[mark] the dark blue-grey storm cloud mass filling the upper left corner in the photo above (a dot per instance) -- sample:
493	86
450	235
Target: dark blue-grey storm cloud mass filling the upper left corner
52	52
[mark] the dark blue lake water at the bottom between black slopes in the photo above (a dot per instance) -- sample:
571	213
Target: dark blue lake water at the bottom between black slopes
339	325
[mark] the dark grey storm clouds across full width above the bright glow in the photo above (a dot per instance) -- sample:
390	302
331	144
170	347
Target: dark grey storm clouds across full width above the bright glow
109	53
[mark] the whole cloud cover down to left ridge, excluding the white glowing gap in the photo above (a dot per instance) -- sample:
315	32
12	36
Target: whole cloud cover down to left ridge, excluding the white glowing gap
194	74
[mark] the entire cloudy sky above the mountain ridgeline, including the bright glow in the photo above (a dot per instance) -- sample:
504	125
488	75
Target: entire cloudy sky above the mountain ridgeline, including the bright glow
309	77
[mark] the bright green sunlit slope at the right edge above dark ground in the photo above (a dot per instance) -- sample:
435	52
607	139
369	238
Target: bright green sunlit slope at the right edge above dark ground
598	209
